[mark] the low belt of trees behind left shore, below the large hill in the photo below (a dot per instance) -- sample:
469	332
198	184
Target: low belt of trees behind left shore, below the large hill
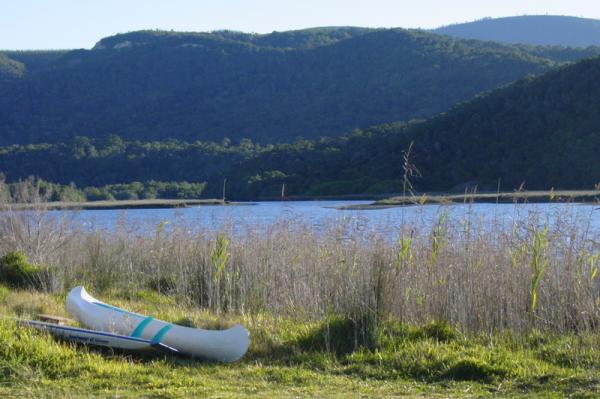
108	160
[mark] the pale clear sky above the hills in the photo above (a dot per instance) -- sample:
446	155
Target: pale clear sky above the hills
67	24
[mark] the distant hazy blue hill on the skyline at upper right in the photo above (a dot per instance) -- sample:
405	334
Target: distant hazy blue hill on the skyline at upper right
544	30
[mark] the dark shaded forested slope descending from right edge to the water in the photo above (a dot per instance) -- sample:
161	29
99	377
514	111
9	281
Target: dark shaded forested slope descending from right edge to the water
541	132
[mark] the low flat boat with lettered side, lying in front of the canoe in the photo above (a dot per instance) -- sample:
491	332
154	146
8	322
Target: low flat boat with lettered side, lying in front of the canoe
97	338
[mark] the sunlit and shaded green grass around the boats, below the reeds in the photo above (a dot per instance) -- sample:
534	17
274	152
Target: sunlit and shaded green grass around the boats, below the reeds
293	358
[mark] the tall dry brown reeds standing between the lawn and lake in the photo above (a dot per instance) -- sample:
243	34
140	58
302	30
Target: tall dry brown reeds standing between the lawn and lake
480	277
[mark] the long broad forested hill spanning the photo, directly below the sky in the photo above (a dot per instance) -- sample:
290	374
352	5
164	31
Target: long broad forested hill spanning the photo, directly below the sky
269	88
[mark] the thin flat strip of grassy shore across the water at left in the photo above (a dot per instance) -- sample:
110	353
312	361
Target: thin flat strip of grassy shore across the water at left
113	205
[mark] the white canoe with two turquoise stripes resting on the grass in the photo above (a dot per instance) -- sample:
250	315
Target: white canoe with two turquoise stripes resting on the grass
220	345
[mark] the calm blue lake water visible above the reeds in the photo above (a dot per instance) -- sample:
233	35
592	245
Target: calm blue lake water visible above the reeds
319	215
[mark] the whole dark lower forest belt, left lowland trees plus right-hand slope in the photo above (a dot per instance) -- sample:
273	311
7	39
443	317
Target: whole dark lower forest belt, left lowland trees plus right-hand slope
540	131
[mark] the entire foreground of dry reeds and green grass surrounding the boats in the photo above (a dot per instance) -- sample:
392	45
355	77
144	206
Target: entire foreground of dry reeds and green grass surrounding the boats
459	308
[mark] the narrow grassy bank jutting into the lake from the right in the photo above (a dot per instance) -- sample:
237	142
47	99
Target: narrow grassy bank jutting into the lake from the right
581	196
